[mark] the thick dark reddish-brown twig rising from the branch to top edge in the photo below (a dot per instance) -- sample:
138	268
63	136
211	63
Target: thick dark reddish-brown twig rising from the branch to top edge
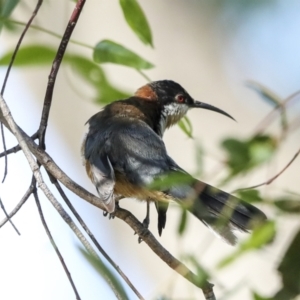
54	70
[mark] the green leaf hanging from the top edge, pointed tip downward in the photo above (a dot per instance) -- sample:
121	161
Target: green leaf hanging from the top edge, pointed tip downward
136	20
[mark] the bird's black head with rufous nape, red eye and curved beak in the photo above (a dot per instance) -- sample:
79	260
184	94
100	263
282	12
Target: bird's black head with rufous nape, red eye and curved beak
174	101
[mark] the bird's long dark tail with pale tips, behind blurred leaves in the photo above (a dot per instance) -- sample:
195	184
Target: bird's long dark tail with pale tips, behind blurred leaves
219	210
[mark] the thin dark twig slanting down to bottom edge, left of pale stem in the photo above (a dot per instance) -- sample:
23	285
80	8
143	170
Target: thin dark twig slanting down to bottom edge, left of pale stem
37	201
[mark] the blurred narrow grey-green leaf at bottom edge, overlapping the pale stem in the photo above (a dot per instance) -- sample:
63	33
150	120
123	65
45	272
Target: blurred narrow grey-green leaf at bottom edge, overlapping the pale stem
105	273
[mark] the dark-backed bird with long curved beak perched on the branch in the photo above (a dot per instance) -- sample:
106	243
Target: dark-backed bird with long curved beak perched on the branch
124	154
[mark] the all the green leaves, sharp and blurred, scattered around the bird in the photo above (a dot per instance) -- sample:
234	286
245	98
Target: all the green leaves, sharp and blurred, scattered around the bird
243	155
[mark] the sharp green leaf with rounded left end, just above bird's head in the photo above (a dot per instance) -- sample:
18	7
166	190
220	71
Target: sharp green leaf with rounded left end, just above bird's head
109	51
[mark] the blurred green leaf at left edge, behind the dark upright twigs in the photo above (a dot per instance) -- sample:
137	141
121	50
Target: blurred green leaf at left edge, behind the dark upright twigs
32	55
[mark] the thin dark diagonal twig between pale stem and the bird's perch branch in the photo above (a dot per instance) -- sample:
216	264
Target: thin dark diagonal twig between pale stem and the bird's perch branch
92	237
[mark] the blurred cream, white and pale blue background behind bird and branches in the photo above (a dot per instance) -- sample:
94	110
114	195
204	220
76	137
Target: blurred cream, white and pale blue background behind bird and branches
212	48
